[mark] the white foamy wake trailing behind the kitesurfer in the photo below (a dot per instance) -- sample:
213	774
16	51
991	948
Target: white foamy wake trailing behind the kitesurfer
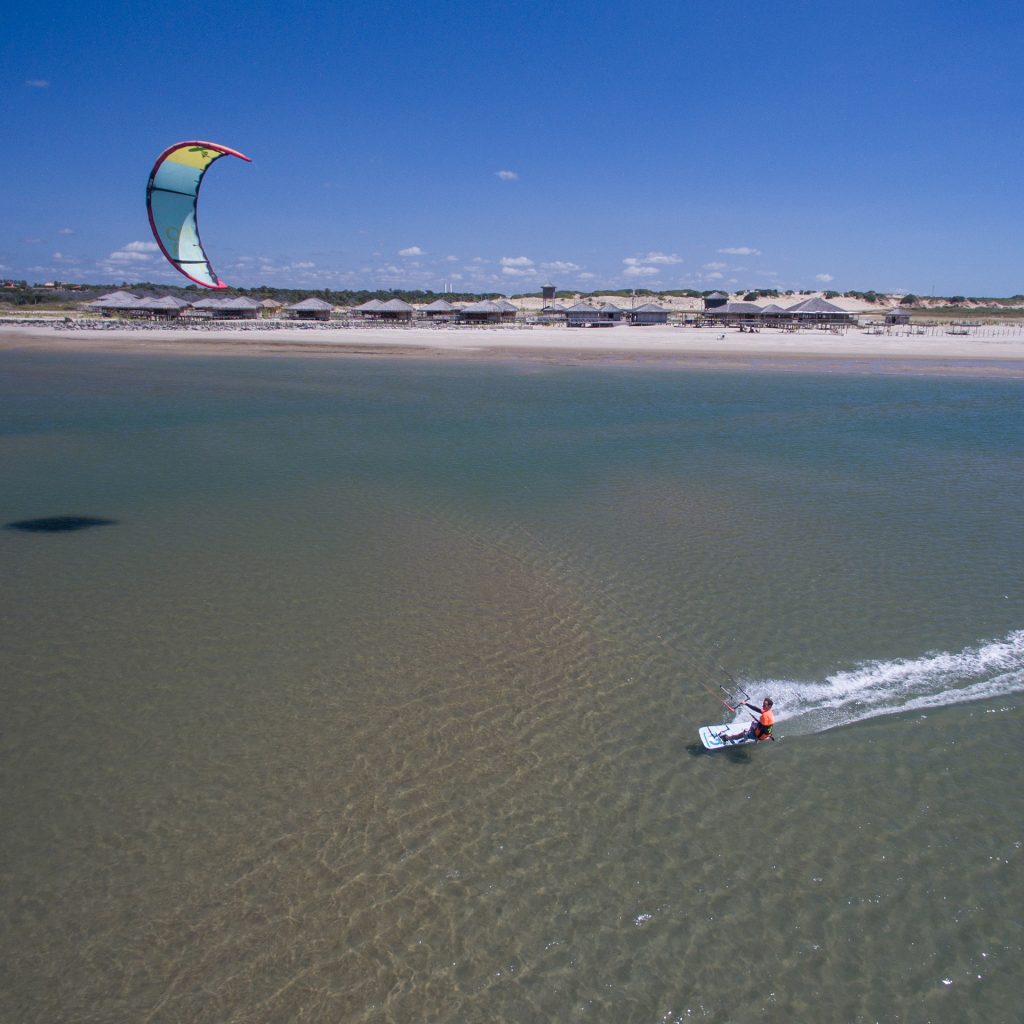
992	669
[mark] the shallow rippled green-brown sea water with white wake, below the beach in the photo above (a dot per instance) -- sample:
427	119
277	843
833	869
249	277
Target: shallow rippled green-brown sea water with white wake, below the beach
378	701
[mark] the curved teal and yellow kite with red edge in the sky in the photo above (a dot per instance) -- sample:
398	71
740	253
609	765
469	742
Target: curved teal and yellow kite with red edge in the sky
172	197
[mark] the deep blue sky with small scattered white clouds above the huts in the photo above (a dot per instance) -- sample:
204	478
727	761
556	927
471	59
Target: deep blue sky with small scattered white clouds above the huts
498	146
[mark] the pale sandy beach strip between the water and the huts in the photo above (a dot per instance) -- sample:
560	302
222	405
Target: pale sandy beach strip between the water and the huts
1001	354
